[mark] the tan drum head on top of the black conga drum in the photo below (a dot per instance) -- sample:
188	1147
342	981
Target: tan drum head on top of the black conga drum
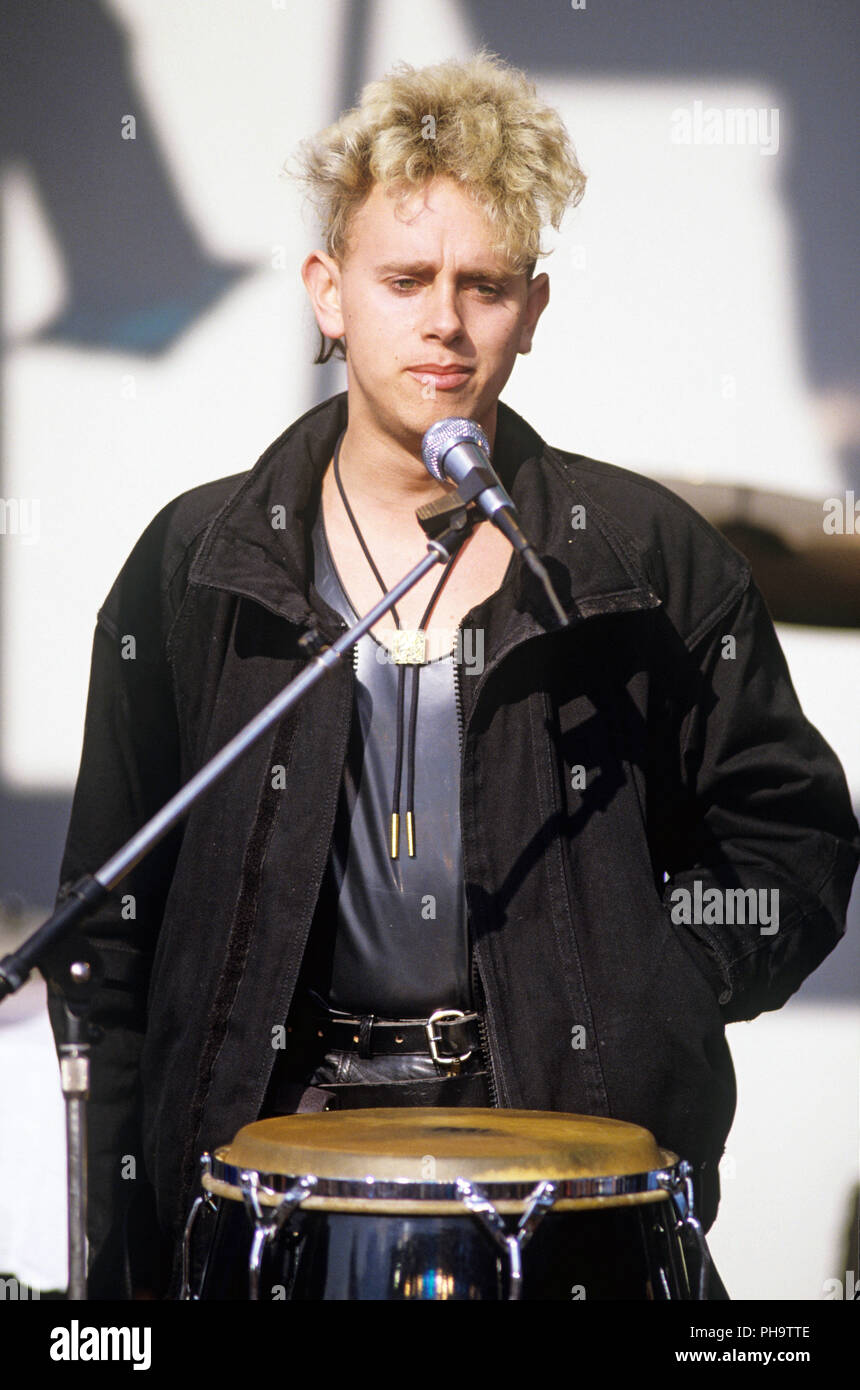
495	1149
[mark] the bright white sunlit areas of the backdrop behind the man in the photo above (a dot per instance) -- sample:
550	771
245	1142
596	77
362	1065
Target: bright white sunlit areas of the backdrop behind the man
672	345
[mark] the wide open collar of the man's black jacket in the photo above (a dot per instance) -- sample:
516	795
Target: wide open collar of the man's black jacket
258	544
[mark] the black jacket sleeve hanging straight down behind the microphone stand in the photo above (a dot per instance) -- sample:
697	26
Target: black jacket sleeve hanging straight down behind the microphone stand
129	771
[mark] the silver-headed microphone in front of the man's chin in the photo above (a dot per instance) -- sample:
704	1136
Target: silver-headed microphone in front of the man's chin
458	451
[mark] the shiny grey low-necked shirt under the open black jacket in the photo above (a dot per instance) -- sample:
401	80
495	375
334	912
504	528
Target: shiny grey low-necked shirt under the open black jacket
391	936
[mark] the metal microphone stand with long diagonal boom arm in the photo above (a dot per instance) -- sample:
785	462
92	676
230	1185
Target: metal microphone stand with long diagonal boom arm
76	967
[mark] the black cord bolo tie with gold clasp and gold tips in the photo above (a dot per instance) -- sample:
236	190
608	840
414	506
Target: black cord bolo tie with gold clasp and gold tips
409	651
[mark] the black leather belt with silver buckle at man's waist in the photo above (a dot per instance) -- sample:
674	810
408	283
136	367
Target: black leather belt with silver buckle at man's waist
449	1036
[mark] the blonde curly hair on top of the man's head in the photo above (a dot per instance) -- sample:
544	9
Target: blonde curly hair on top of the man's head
480	123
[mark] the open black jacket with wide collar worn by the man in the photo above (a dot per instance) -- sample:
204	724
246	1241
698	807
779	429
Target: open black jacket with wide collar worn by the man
700	765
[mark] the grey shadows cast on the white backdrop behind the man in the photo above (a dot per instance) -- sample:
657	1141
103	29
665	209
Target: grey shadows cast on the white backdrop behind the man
140	276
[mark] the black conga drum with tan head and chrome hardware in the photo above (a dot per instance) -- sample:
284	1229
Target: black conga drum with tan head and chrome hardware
440	1204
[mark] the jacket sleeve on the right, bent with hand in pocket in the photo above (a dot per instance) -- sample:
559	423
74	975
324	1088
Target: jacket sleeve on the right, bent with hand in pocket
766	842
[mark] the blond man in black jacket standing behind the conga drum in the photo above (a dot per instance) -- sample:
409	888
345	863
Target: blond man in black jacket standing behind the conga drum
549	835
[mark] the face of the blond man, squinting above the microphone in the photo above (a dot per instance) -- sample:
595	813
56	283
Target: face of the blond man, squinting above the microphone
420	288
